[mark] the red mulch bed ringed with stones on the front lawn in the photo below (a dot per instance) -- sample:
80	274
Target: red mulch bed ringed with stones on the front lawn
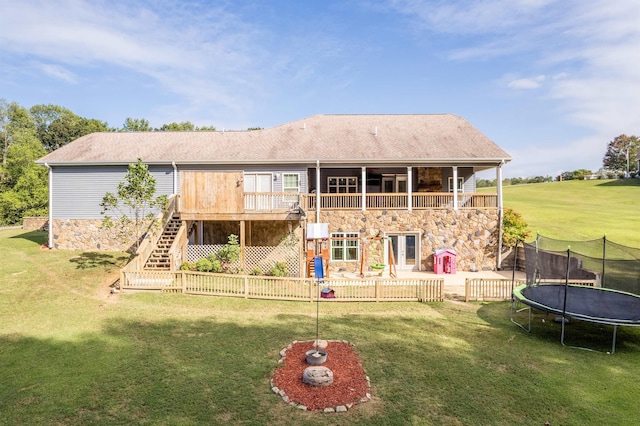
349	386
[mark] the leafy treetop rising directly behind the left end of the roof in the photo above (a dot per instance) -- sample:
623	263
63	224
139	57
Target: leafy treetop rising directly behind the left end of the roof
57	126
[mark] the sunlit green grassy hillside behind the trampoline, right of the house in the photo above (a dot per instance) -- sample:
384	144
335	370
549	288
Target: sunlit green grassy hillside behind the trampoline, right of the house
579	209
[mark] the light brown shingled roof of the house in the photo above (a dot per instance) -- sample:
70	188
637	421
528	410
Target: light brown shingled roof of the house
332	138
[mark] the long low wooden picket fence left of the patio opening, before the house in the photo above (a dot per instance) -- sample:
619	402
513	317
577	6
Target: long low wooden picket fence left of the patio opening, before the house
302	289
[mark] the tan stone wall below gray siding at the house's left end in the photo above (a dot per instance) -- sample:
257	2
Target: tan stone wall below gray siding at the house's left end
83	234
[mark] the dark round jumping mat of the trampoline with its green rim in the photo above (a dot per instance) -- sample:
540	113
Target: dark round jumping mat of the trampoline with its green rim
585	303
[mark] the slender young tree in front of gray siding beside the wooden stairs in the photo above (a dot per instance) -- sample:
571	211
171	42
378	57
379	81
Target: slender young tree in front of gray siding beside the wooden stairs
134	205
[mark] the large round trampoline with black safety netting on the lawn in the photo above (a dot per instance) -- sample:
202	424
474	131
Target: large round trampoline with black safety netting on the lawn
552	286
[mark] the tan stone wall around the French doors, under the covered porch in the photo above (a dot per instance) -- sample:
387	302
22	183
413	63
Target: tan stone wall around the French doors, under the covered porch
473	234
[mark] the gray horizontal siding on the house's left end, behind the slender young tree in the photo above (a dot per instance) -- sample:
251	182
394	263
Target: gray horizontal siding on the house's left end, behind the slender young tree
78	191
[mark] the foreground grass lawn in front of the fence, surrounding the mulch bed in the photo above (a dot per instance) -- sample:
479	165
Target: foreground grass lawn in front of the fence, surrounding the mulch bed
72	354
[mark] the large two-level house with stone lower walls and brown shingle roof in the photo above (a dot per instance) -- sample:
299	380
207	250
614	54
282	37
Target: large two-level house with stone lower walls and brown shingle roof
408	179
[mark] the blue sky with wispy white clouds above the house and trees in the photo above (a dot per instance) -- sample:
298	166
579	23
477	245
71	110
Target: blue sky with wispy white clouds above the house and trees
550	81
